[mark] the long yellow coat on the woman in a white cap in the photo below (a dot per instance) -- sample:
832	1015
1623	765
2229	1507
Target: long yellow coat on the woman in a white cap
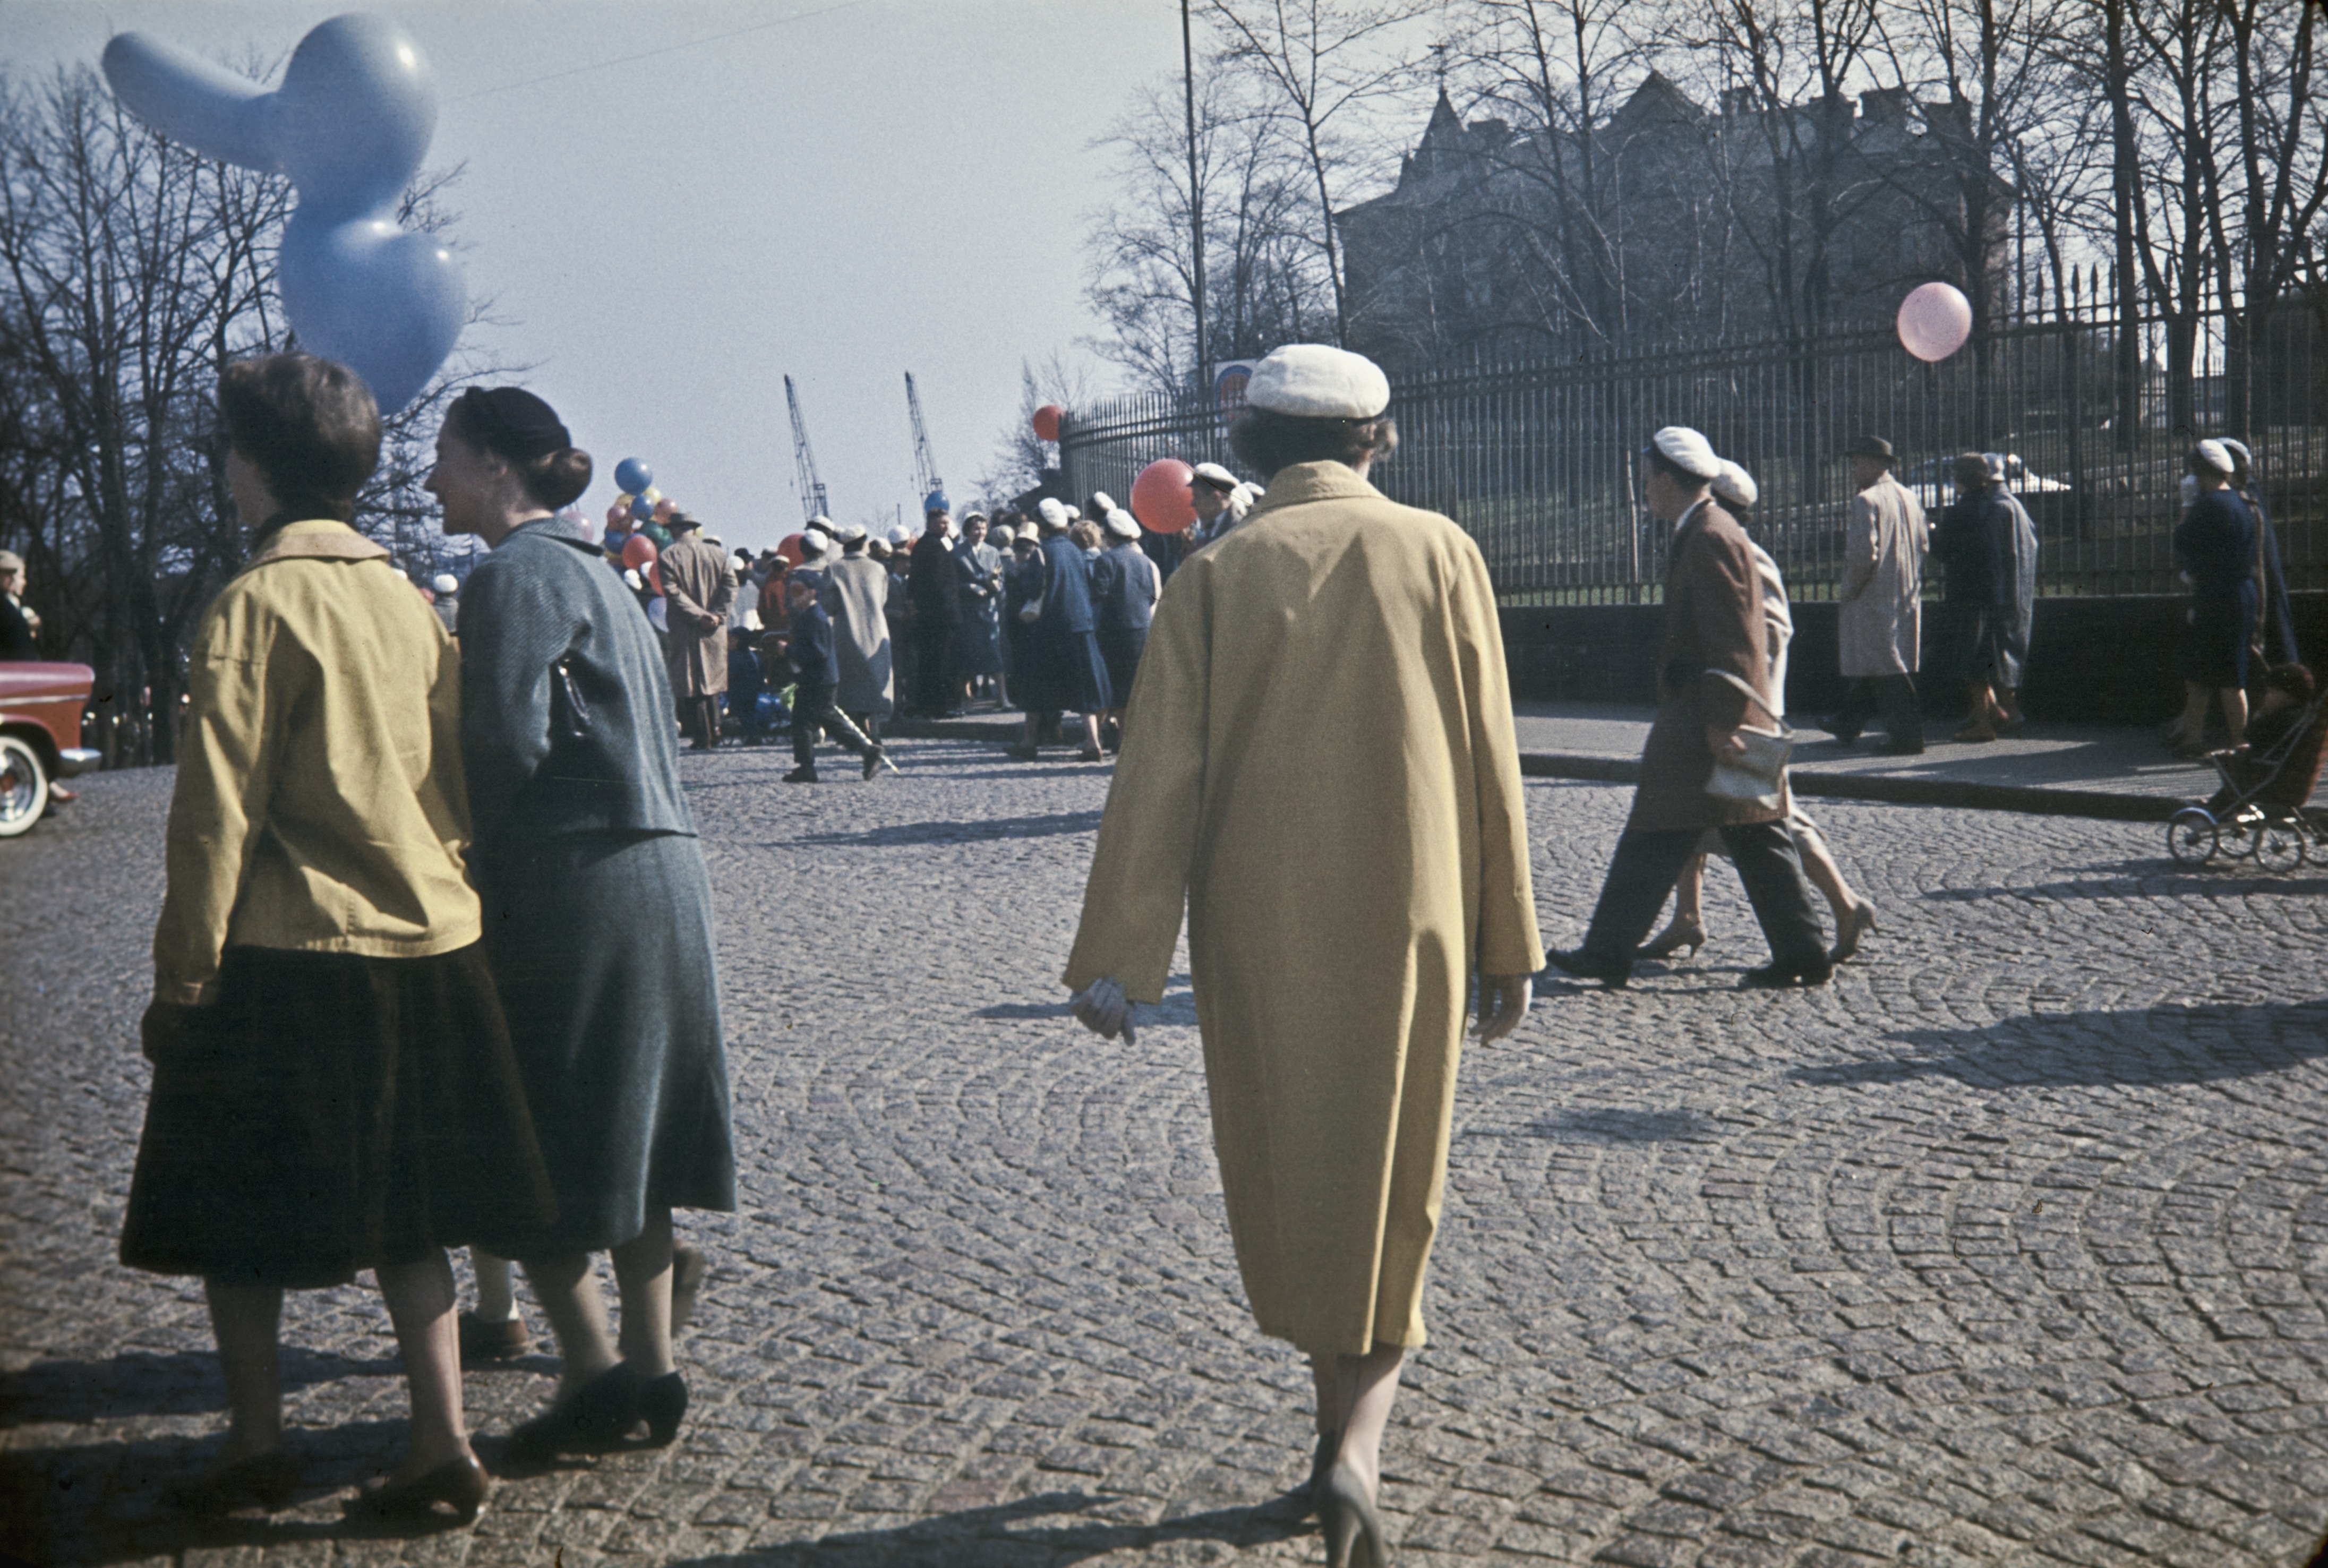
1319	760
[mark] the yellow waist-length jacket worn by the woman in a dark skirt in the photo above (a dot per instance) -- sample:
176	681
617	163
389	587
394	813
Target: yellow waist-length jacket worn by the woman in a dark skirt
320	801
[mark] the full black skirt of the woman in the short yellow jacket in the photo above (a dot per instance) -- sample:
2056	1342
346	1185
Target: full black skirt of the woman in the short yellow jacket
334	1113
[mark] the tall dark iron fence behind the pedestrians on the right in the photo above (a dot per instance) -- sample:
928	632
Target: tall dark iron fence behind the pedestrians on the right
1535	459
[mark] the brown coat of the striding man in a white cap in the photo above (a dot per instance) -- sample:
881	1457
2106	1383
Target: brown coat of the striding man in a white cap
1712	622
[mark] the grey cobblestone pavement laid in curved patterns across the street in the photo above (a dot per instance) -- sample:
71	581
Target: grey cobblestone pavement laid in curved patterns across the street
2010	1248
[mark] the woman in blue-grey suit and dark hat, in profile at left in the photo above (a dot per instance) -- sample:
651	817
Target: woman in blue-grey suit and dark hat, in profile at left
597	911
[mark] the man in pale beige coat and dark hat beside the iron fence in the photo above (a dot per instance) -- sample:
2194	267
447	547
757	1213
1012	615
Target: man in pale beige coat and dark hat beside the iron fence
1880	618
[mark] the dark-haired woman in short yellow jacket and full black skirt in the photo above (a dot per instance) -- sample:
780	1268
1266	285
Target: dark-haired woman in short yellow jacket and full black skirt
334	1085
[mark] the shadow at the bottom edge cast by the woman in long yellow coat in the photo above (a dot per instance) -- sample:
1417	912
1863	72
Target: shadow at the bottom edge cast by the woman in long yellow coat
986	1537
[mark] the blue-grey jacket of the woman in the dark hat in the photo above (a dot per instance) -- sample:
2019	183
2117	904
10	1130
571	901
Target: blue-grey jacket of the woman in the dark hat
548	755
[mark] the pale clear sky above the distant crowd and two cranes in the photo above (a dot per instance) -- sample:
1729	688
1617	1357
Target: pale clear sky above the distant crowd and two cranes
837	190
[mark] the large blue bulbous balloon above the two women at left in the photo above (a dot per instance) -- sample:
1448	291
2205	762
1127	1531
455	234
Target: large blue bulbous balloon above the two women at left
350	127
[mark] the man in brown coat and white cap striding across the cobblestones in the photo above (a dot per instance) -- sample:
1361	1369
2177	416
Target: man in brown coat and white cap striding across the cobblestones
1712	643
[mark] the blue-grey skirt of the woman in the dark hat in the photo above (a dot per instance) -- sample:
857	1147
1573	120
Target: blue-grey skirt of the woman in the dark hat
602	946
